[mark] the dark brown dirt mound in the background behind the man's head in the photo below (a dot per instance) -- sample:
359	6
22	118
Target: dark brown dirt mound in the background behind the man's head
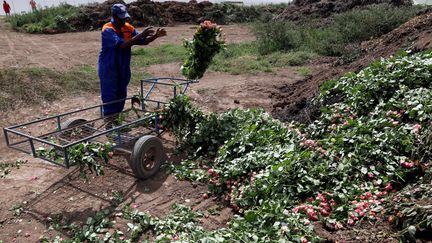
143	13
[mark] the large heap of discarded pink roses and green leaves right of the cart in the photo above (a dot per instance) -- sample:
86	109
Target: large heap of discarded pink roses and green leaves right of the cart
370	144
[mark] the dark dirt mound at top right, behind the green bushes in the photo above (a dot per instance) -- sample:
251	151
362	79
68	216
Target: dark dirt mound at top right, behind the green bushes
302	9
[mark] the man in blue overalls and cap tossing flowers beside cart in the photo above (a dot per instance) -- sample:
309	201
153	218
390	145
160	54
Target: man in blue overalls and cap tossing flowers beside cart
118	37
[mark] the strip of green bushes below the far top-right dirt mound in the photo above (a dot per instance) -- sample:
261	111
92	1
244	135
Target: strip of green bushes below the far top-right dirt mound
330	39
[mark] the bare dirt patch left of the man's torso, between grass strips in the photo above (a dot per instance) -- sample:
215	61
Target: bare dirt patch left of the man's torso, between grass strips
61	52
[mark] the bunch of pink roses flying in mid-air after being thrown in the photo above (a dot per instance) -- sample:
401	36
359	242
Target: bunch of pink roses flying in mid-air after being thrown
206	43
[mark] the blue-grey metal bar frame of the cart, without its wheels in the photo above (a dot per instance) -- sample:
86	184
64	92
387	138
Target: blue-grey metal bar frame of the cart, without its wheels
27	143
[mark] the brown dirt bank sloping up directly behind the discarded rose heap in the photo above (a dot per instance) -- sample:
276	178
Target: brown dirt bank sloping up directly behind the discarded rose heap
293	101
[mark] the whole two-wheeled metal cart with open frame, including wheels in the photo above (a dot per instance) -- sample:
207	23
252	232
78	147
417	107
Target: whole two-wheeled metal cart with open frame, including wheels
135	131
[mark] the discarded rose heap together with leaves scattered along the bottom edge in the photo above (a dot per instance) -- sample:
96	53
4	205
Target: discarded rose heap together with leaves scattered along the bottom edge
366	159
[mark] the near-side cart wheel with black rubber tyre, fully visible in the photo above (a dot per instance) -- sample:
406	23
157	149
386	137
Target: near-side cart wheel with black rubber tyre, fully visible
147	156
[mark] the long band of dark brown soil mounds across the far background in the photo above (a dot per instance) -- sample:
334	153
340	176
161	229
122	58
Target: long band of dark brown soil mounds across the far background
147	12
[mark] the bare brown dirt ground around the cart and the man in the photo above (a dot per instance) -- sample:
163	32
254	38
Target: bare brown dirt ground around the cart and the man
46	191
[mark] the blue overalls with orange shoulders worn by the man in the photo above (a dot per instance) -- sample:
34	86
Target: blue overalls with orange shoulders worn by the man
114	66
